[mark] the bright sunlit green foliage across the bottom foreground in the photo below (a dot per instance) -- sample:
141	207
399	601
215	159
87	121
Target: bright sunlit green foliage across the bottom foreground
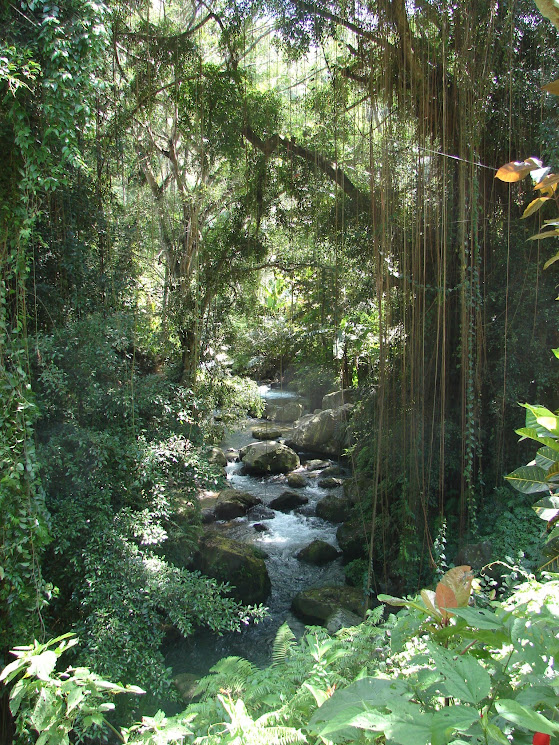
441	671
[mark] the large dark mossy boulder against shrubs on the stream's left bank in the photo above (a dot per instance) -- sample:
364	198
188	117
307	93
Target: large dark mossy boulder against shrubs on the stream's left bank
230	561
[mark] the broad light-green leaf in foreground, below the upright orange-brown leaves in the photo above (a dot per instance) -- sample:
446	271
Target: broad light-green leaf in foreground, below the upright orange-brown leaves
466	679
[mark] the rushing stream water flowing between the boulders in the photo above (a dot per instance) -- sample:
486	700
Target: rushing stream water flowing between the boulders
285	535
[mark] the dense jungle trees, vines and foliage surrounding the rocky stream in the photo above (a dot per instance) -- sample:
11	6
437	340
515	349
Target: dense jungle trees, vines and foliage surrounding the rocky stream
198	195
